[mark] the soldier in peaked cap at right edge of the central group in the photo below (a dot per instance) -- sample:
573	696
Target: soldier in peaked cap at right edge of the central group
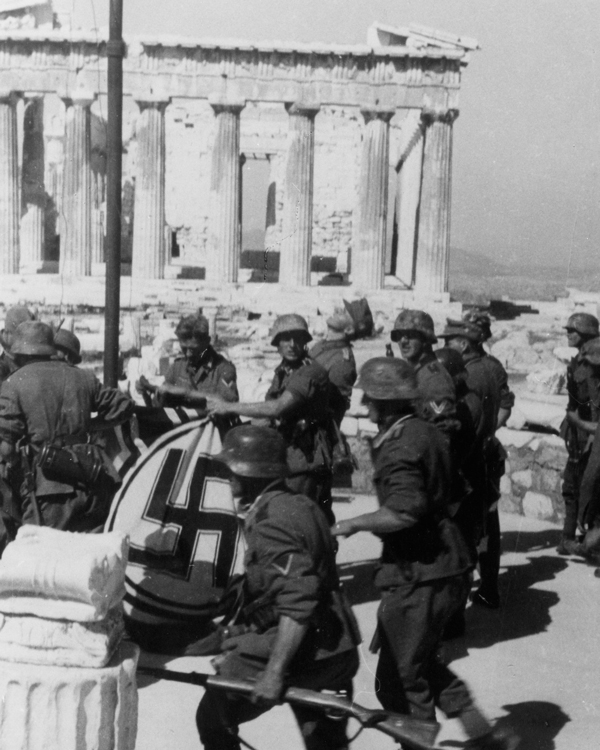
466	337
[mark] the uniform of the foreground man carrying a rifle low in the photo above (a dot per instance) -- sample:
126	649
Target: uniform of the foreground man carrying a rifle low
290	571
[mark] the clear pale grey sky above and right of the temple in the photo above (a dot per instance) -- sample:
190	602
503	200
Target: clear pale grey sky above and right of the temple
526	170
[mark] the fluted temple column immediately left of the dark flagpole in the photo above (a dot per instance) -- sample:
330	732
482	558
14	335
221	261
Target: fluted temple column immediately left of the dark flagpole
76	205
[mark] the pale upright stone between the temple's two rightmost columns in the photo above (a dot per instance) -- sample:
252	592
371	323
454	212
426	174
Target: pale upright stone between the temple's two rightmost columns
409	188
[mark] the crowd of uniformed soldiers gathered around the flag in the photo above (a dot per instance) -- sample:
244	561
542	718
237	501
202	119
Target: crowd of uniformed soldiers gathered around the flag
436	470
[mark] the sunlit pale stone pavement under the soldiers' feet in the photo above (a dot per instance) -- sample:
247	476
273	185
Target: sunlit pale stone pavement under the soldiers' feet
532	664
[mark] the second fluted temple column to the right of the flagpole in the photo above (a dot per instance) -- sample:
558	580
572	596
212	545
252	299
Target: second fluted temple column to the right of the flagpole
224	240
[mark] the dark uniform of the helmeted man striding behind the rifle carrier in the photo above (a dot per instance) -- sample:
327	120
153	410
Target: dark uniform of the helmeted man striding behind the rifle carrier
423	571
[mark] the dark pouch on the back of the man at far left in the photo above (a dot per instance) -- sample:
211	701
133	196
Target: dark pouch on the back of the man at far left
78	464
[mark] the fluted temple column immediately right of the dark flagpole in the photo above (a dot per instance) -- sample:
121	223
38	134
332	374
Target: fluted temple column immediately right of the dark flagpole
148	254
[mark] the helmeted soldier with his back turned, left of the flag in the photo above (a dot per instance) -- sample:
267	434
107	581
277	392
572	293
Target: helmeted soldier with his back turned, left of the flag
45	413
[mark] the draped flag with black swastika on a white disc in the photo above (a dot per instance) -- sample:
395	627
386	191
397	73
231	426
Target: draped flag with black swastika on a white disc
177	507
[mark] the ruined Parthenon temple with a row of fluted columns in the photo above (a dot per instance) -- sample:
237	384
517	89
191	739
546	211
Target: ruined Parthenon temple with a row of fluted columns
355	142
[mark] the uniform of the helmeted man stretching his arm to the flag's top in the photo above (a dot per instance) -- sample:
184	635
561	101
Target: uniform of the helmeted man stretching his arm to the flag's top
306	429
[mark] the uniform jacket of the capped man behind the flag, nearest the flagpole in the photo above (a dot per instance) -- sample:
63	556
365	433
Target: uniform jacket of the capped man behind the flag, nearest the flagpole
215	375
